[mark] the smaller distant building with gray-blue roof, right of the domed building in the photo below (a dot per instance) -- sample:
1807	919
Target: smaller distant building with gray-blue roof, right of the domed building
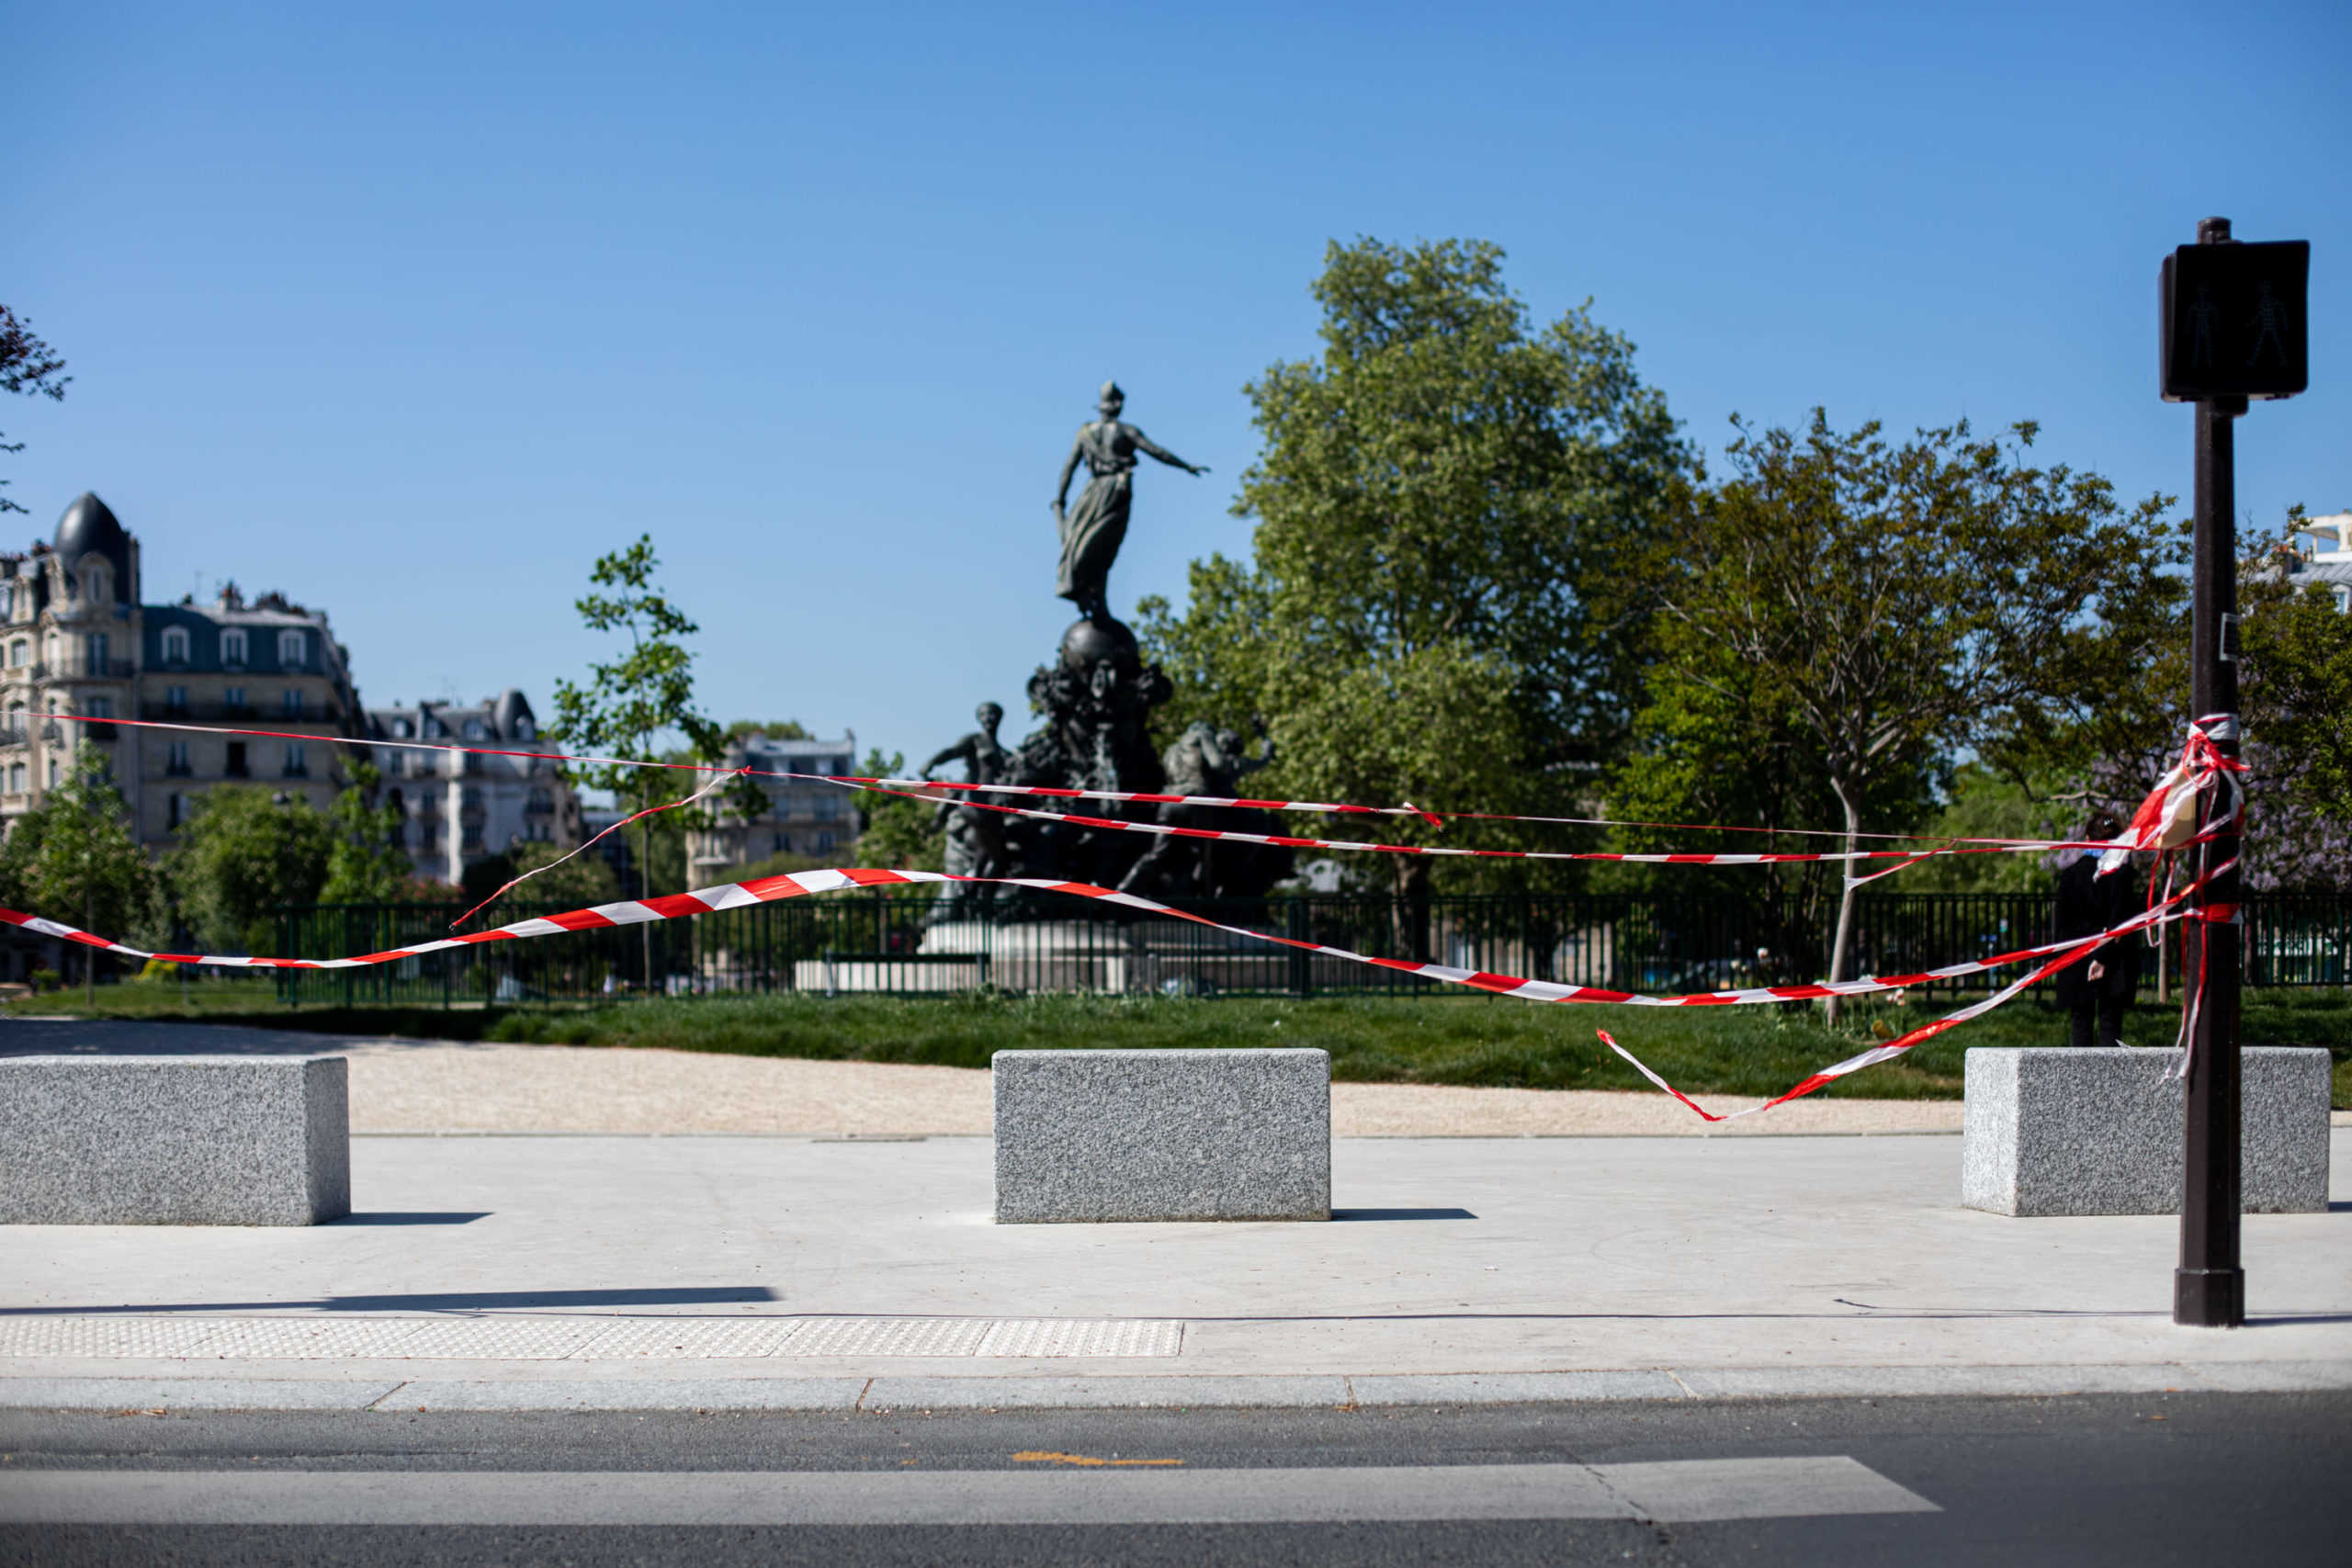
465	808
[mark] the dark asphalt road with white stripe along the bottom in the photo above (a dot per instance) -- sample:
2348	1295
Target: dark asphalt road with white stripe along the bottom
2080	1480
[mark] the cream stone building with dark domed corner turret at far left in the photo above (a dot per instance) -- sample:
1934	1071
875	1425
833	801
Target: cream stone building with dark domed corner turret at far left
81	650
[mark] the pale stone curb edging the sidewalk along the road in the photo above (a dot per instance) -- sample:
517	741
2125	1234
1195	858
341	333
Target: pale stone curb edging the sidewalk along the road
1165	1393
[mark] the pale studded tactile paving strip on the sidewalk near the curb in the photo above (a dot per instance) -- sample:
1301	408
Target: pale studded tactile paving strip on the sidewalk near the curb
582	1339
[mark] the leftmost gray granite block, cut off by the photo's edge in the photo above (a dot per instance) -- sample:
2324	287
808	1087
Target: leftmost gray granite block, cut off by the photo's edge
175	1141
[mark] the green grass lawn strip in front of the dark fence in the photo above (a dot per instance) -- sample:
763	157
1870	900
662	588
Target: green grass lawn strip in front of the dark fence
1408	1040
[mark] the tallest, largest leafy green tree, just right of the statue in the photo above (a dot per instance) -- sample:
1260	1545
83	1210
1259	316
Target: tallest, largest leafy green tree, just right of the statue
1443	497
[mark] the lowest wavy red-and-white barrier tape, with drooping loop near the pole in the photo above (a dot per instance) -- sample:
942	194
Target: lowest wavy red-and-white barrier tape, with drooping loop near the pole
796	885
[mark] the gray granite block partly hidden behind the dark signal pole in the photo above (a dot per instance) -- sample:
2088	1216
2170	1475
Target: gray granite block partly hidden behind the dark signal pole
2099	1132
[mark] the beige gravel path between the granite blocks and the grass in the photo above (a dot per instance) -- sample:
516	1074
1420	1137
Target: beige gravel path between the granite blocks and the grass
582	1090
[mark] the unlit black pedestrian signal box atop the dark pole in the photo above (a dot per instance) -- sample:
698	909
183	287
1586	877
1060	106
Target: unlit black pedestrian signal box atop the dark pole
2231	321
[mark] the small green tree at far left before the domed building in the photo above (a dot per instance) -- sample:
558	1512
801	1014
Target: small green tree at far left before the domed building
74	859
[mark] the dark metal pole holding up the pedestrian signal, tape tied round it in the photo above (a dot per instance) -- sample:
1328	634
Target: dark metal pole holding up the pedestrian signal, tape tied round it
2210	1287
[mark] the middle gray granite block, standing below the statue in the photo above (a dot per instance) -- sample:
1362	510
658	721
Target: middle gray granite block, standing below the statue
1163	1137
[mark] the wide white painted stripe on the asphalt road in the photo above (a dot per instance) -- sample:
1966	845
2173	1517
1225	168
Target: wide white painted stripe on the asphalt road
1673	1492
